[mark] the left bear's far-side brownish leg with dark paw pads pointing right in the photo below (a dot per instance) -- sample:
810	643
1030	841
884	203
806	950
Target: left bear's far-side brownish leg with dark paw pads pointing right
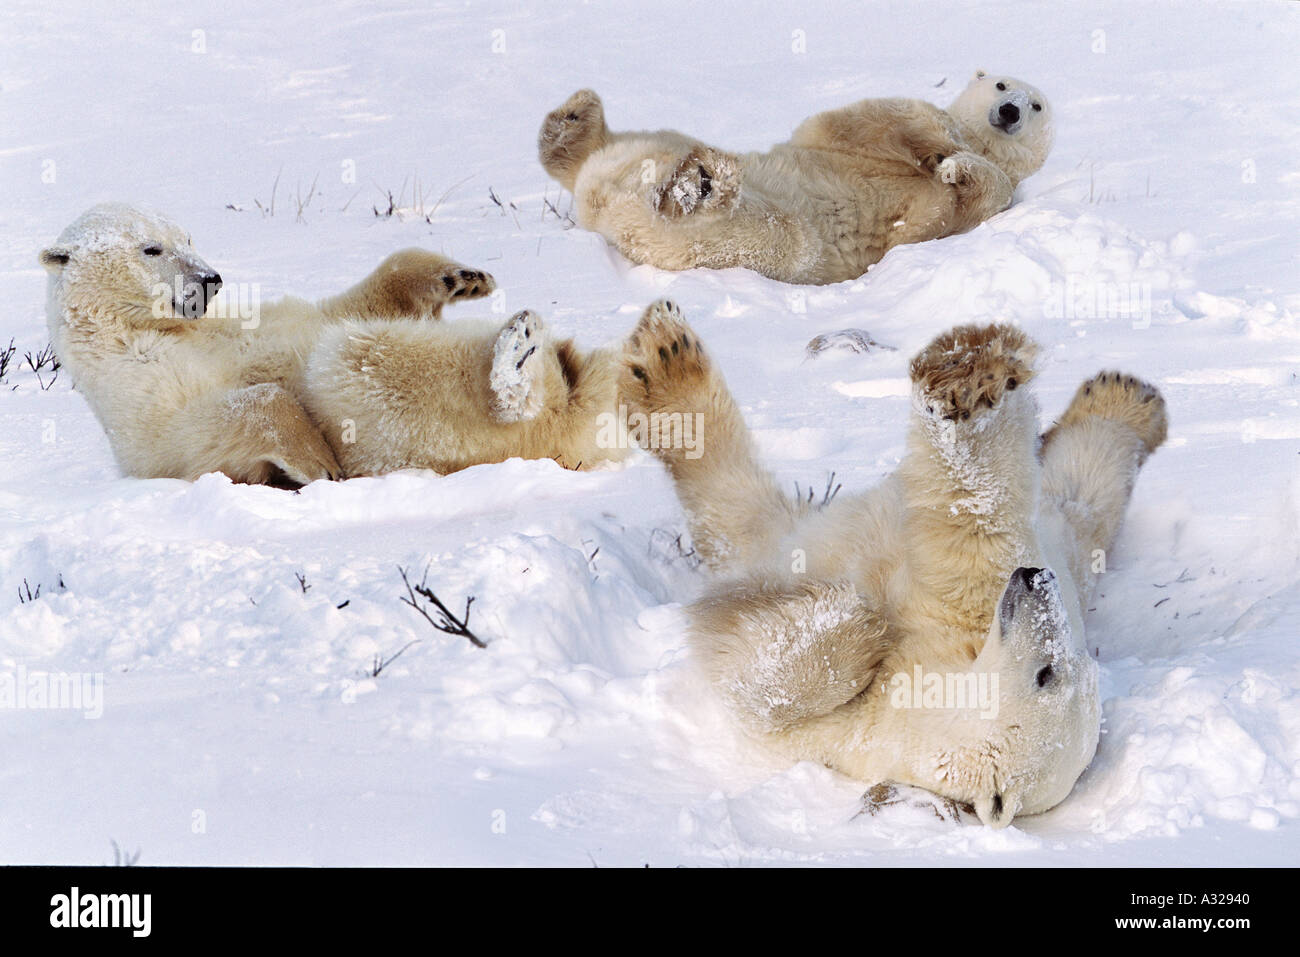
410	284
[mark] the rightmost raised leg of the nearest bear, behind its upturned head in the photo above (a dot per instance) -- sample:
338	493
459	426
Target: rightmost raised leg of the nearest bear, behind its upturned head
1091	458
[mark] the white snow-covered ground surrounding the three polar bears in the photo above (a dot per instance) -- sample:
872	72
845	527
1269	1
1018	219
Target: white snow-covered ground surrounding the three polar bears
239	721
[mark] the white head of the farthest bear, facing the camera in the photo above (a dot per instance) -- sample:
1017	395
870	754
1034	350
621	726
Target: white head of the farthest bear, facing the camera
1008	120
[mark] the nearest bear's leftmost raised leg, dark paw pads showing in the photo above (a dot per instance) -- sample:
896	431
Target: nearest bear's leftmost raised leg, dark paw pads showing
681	410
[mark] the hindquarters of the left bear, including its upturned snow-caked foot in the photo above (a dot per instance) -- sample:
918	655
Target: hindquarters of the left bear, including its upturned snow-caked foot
402	395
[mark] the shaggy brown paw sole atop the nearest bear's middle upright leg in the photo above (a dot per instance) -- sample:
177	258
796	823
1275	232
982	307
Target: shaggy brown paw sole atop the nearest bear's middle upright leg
972	369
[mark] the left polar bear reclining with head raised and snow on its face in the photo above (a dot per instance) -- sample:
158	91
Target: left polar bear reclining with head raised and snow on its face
362	383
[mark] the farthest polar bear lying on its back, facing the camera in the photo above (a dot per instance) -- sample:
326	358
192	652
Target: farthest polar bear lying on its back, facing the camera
850	185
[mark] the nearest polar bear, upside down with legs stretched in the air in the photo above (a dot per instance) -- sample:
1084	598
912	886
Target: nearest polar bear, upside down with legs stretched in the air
930	631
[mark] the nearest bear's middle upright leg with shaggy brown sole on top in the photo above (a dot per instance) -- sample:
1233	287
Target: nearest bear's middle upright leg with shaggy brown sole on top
970	477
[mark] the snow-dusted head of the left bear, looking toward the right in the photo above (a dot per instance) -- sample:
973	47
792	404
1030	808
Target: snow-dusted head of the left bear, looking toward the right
123	265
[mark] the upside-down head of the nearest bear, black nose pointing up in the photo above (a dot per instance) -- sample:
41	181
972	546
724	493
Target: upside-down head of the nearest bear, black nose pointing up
1048	720
